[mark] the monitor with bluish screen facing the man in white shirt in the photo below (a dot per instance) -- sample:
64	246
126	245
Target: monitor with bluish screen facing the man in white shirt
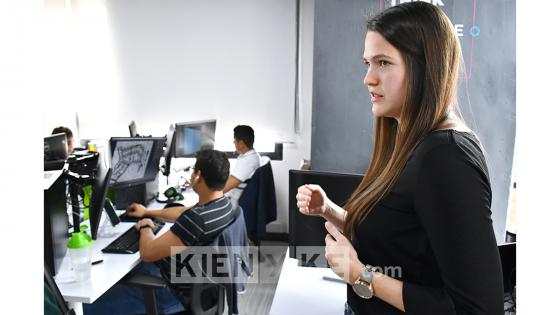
191	137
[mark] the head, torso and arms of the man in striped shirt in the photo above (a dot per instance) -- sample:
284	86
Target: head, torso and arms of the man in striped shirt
198	225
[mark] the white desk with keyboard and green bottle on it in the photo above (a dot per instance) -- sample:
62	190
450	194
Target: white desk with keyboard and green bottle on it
106	274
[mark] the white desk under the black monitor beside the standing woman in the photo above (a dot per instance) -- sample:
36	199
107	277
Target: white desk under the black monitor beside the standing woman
302	290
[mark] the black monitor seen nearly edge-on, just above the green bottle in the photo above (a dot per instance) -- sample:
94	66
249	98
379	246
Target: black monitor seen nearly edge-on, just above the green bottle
98	200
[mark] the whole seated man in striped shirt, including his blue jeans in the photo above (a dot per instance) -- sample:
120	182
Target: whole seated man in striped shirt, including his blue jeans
193	226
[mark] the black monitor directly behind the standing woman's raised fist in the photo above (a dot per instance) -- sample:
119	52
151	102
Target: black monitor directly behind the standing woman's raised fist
308	230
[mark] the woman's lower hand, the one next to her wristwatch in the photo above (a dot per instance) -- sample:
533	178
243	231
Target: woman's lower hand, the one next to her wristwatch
341	255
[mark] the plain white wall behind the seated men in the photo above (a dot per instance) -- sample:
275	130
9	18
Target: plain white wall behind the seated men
176	61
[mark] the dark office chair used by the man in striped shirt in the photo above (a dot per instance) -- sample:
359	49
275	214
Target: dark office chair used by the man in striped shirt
203	298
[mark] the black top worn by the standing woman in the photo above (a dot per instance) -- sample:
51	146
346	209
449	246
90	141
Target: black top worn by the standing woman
435	225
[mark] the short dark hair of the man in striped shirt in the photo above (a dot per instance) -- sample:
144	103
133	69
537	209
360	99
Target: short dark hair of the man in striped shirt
214	168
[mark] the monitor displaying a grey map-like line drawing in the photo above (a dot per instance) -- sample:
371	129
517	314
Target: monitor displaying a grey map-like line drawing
135	160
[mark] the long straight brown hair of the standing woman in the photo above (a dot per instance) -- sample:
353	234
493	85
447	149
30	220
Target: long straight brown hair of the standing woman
426	39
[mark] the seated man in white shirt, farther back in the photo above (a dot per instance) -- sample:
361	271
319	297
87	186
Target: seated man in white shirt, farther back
247	163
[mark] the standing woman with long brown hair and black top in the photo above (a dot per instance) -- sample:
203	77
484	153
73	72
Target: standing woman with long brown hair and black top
416	235
